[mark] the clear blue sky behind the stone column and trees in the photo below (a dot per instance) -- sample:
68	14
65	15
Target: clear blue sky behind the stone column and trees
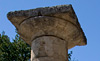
87	11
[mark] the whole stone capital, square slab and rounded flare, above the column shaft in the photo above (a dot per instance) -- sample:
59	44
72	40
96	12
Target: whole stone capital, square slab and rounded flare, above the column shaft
58	21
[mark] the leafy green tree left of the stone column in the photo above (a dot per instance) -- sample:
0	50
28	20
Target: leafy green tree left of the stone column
17	50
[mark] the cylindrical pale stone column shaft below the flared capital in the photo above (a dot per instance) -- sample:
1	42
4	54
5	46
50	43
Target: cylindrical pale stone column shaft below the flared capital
49	48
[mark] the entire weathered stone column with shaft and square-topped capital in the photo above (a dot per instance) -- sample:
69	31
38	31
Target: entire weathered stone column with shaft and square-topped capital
50	31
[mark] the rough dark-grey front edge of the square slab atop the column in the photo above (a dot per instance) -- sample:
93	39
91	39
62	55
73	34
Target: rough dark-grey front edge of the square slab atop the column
40	11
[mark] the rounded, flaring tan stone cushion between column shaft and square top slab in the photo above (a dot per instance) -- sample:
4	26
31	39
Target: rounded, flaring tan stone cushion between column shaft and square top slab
39	26
